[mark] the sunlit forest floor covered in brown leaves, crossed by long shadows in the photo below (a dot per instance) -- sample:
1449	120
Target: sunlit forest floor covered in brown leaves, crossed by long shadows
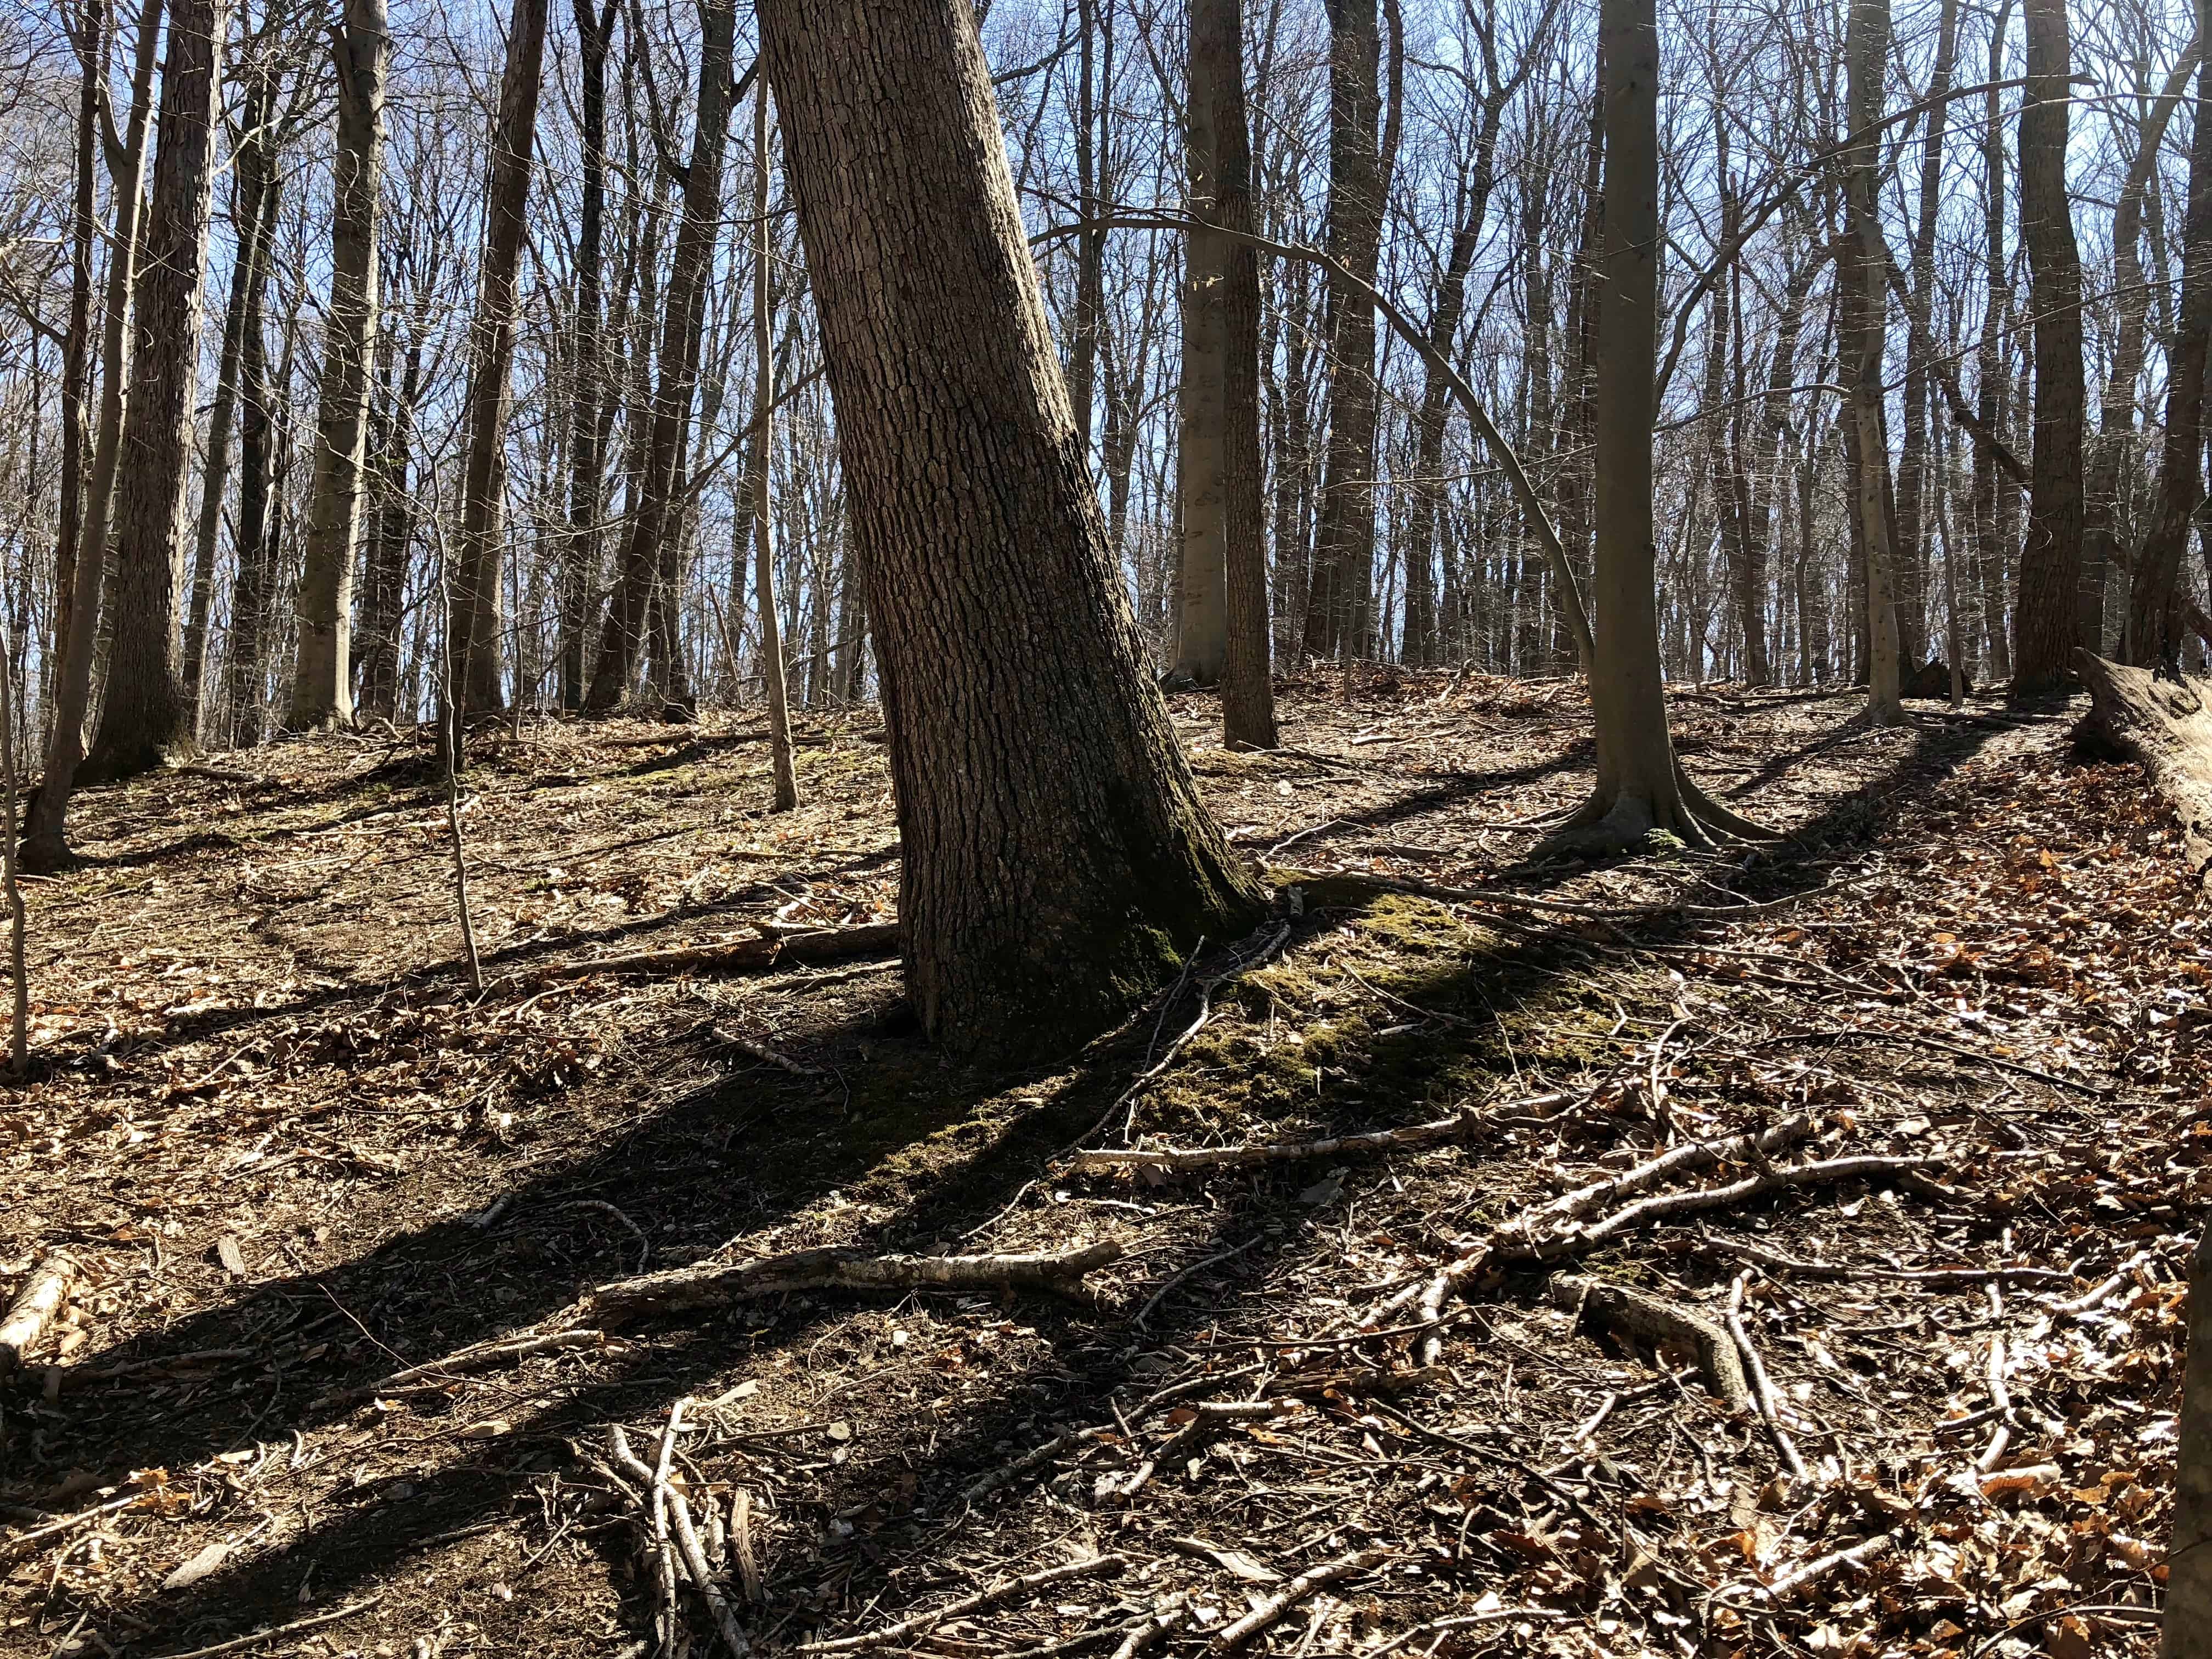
295	1154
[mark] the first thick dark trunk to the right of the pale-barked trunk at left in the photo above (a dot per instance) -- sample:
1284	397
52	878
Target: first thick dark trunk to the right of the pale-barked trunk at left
474	612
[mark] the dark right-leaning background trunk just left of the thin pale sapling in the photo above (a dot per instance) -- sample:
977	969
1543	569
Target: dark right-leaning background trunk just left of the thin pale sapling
682	320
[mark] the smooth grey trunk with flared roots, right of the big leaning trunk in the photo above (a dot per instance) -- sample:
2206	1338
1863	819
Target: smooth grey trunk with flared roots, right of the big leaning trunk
1640	784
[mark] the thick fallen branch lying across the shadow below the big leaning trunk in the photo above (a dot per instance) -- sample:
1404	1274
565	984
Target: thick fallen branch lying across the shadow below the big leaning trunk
682	1288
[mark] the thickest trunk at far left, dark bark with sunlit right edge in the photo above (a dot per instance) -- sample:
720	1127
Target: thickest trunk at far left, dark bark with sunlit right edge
147	716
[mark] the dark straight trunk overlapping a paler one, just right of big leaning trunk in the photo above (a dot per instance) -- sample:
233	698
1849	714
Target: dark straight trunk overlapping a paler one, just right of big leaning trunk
1218	103
